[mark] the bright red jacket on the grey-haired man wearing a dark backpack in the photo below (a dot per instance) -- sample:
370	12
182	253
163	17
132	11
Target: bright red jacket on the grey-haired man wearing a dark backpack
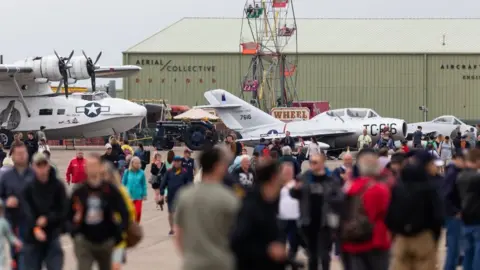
375	202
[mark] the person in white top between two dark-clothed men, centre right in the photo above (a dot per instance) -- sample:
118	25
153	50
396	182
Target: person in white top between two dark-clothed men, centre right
289	211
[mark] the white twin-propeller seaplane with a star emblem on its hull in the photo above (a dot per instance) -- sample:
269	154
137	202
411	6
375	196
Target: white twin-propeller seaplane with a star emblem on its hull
28	102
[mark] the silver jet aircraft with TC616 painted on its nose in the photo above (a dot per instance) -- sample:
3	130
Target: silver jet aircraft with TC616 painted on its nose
338	129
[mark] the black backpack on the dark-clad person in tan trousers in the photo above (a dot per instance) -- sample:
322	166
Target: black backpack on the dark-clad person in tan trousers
407	212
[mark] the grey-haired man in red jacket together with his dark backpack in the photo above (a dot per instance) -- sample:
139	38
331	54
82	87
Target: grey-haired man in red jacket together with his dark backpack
366	240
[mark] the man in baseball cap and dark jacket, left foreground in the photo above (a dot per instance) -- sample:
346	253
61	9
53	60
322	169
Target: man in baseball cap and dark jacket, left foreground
45	210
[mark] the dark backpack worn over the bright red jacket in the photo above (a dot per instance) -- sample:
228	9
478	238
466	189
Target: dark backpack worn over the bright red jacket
356	226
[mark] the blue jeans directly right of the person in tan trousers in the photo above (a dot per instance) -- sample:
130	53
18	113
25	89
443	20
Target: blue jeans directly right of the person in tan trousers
454	237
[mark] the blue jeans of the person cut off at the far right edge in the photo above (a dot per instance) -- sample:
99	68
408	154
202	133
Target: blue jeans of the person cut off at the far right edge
471	260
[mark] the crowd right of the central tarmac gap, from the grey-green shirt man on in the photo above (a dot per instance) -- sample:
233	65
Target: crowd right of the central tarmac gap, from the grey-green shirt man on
382	210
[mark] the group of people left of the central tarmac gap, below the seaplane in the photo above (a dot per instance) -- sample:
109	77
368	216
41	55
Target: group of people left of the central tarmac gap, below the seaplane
100	211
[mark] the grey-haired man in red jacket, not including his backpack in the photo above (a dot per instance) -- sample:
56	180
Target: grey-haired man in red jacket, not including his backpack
372	254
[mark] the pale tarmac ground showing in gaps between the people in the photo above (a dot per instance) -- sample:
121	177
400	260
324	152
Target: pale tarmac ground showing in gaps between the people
157	249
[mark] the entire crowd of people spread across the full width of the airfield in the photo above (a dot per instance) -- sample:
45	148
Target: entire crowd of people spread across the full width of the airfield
380	210
